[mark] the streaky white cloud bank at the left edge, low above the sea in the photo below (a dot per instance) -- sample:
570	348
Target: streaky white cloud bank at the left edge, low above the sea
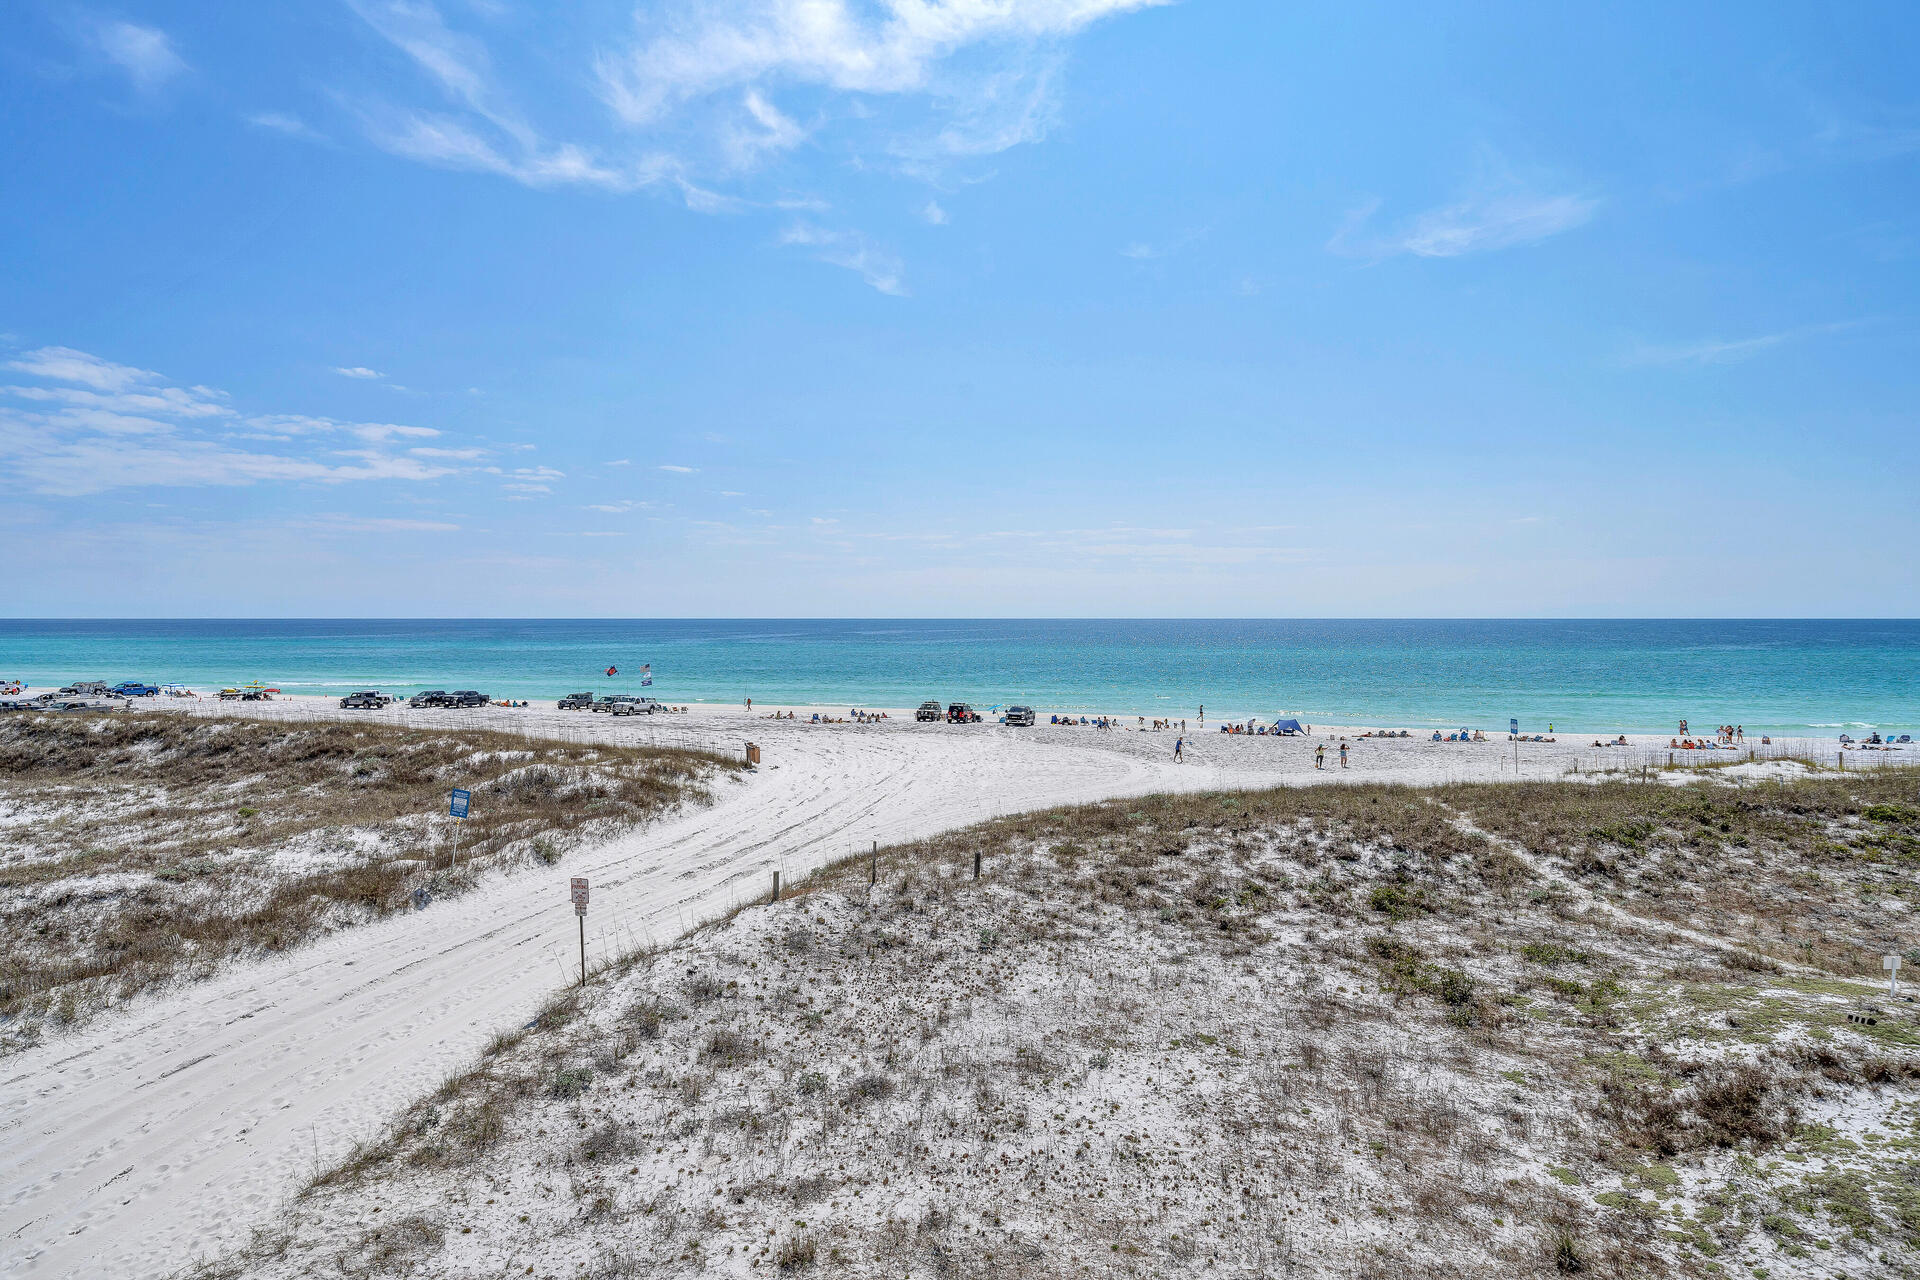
87	425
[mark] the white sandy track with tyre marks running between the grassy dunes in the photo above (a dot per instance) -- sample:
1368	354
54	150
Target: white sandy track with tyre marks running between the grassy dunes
168	1131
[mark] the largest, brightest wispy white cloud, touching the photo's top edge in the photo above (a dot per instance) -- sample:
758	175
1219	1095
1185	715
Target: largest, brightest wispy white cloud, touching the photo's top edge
696	87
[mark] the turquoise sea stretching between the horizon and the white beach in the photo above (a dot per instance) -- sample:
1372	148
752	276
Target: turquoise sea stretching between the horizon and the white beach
1796	676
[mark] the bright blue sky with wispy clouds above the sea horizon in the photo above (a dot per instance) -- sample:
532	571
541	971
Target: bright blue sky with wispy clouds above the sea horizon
1034	308
